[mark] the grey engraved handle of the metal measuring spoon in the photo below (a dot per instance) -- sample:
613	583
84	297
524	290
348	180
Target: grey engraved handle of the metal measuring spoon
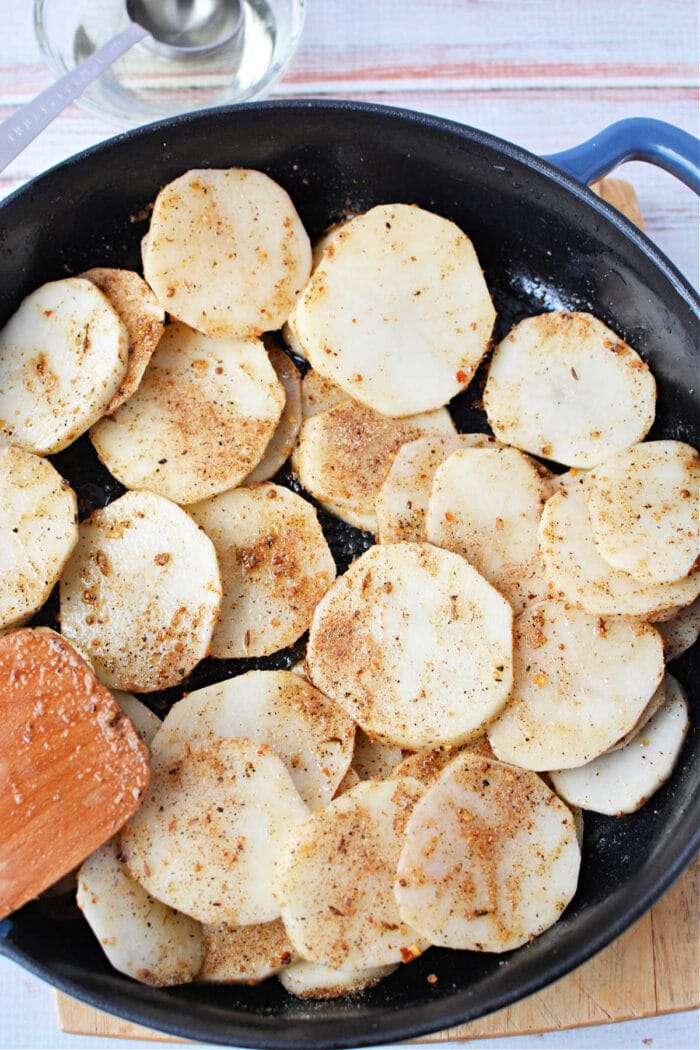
17	132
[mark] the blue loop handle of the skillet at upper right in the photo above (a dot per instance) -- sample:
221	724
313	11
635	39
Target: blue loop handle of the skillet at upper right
635	139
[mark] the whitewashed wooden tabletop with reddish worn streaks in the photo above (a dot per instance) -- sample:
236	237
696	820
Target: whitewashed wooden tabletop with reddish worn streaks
544	74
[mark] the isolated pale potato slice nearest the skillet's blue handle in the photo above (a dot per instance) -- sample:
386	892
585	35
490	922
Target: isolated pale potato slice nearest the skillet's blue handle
565	387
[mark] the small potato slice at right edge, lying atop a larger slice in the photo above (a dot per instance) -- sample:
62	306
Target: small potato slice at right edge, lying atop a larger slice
645	508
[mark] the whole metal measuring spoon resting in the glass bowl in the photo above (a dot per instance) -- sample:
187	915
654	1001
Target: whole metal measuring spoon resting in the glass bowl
178	28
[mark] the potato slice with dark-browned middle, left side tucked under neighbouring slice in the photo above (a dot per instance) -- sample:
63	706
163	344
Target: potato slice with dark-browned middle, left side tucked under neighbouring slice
275	564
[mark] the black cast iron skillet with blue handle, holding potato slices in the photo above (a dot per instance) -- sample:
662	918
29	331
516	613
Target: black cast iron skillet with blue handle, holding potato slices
545	242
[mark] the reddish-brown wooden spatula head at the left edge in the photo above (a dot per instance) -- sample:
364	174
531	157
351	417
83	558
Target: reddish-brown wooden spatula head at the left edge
73	769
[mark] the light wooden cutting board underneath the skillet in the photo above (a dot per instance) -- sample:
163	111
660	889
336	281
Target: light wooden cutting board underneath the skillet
653	969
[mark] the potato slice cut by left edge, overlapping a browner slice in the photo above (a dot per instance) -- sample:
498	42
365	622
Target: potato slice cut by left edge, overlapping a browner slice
63	356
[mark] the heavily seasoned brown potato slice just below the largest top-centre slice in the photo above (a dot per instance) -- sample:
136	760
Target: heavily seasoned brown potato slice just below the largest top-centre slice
345	454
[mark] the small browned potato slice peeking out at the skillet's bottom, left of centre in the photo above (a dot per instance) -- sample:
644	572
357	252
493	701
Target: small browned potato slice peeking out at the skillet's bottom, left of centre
245	955
